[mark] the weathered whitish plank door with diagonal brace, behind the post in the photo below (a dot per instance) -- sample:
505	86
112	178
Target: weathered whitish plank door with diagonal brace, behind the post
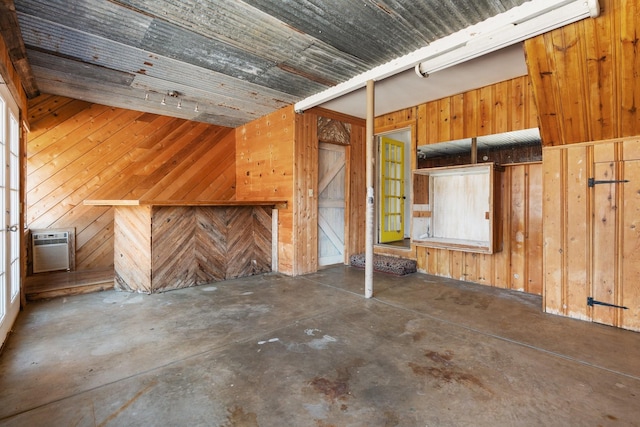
331	203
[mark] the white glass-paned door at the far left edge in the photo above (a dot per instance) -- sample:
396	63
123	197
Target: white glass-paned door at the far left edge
9	205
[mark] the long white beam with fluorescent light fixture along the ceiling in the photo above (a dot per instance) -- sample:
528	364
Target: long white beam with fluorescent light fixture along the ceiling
517	24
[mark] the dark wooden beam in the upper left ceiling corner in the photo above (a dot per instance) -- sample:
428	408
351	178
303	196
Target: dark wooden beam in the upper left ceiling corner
10	32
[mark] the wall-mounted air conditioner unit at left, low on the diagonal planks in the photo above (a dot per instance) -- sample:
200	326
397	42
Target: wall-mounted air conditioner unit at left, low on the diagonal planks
50	251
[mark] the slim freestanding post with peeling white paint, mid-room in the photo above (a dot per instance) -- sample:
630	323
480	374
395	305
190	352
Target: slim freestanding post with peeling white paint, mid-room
370	159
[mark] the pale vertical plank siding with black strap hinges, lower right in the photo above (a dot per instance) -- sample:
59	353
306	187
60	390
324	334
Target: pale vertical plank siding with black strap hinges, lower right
591	234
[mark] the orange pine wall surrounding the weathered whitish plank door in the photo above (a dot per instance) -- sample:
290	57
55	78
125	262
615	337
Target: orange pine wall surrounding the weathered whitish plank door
277	158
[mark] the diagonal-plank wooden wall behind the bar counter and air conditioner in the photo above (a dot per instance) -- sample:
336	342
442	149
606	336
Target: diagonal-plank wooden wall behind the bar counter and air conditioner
77	150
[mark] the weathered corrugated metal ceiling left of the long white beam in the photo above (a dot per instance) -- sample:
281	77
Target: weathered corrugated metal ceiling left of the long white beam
225	62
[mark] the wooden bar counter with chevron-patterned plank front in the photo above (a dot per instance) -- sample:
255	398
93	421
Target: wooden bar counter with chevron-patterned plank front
164	245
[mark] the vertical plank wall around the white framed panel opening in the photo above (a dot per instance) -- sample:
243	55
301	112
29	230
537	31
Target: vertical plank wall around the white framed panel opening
502	107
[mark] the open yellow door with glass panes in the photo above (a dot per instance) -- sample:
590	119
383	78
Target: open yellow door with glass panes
392	194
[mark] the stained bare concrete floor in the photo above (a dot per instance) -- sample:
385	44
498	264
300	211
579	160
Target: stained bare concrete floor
311	351
